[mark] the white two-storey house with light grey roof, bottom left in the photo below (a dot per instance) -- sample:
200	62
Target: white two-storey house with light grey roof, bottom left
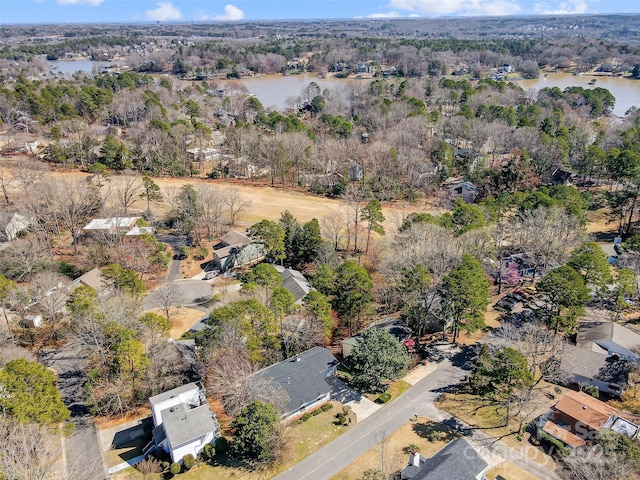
183	422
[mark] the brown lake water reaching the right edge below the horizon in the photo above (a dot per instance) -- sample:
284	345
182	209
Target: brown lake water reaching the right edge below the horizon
625	90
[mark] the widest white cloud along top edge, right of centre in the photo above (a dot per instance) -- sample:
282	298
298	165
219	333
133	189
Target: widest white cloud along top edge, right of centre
457	7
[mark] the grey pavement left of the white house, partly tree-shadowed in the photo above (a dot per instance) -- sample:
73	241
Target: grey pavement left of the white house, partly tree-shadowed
82	454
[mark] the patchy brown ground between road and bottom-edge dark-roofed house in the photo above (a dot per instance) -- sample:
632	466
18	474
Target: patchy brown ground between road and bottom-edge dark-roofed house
395	457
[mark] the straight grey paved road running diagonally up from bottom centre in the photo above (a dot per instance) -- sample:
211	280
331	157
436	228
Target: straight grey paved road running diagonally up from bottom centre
340	453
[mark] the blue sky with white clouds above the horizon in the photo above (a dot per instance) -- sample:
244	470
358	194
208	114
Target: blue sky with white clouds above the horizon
137	11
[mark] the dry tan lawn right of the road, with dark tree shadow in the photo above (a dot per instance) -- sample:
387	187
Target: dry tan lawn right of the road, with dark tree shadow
417	432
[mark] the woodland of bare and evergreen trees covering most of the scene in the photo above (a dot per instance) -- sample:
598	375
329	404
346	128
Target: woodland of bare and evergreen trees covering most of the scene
401	241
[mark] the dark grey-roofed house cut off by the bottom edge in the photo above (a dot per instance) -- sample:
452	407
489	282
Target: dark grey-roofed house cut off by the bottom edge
455	461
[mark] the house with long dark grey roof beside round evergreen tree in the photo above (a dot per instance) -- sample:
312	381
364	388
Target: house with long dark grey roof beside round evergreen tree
303	378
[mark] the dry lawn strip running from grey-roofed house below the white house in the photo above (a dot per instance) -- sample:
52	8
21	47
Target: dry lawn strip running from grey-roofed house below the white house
302	439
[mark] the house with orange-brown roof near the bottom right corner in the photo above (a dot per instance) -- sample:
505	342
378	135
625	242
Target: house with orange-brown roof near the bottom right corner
577	418
